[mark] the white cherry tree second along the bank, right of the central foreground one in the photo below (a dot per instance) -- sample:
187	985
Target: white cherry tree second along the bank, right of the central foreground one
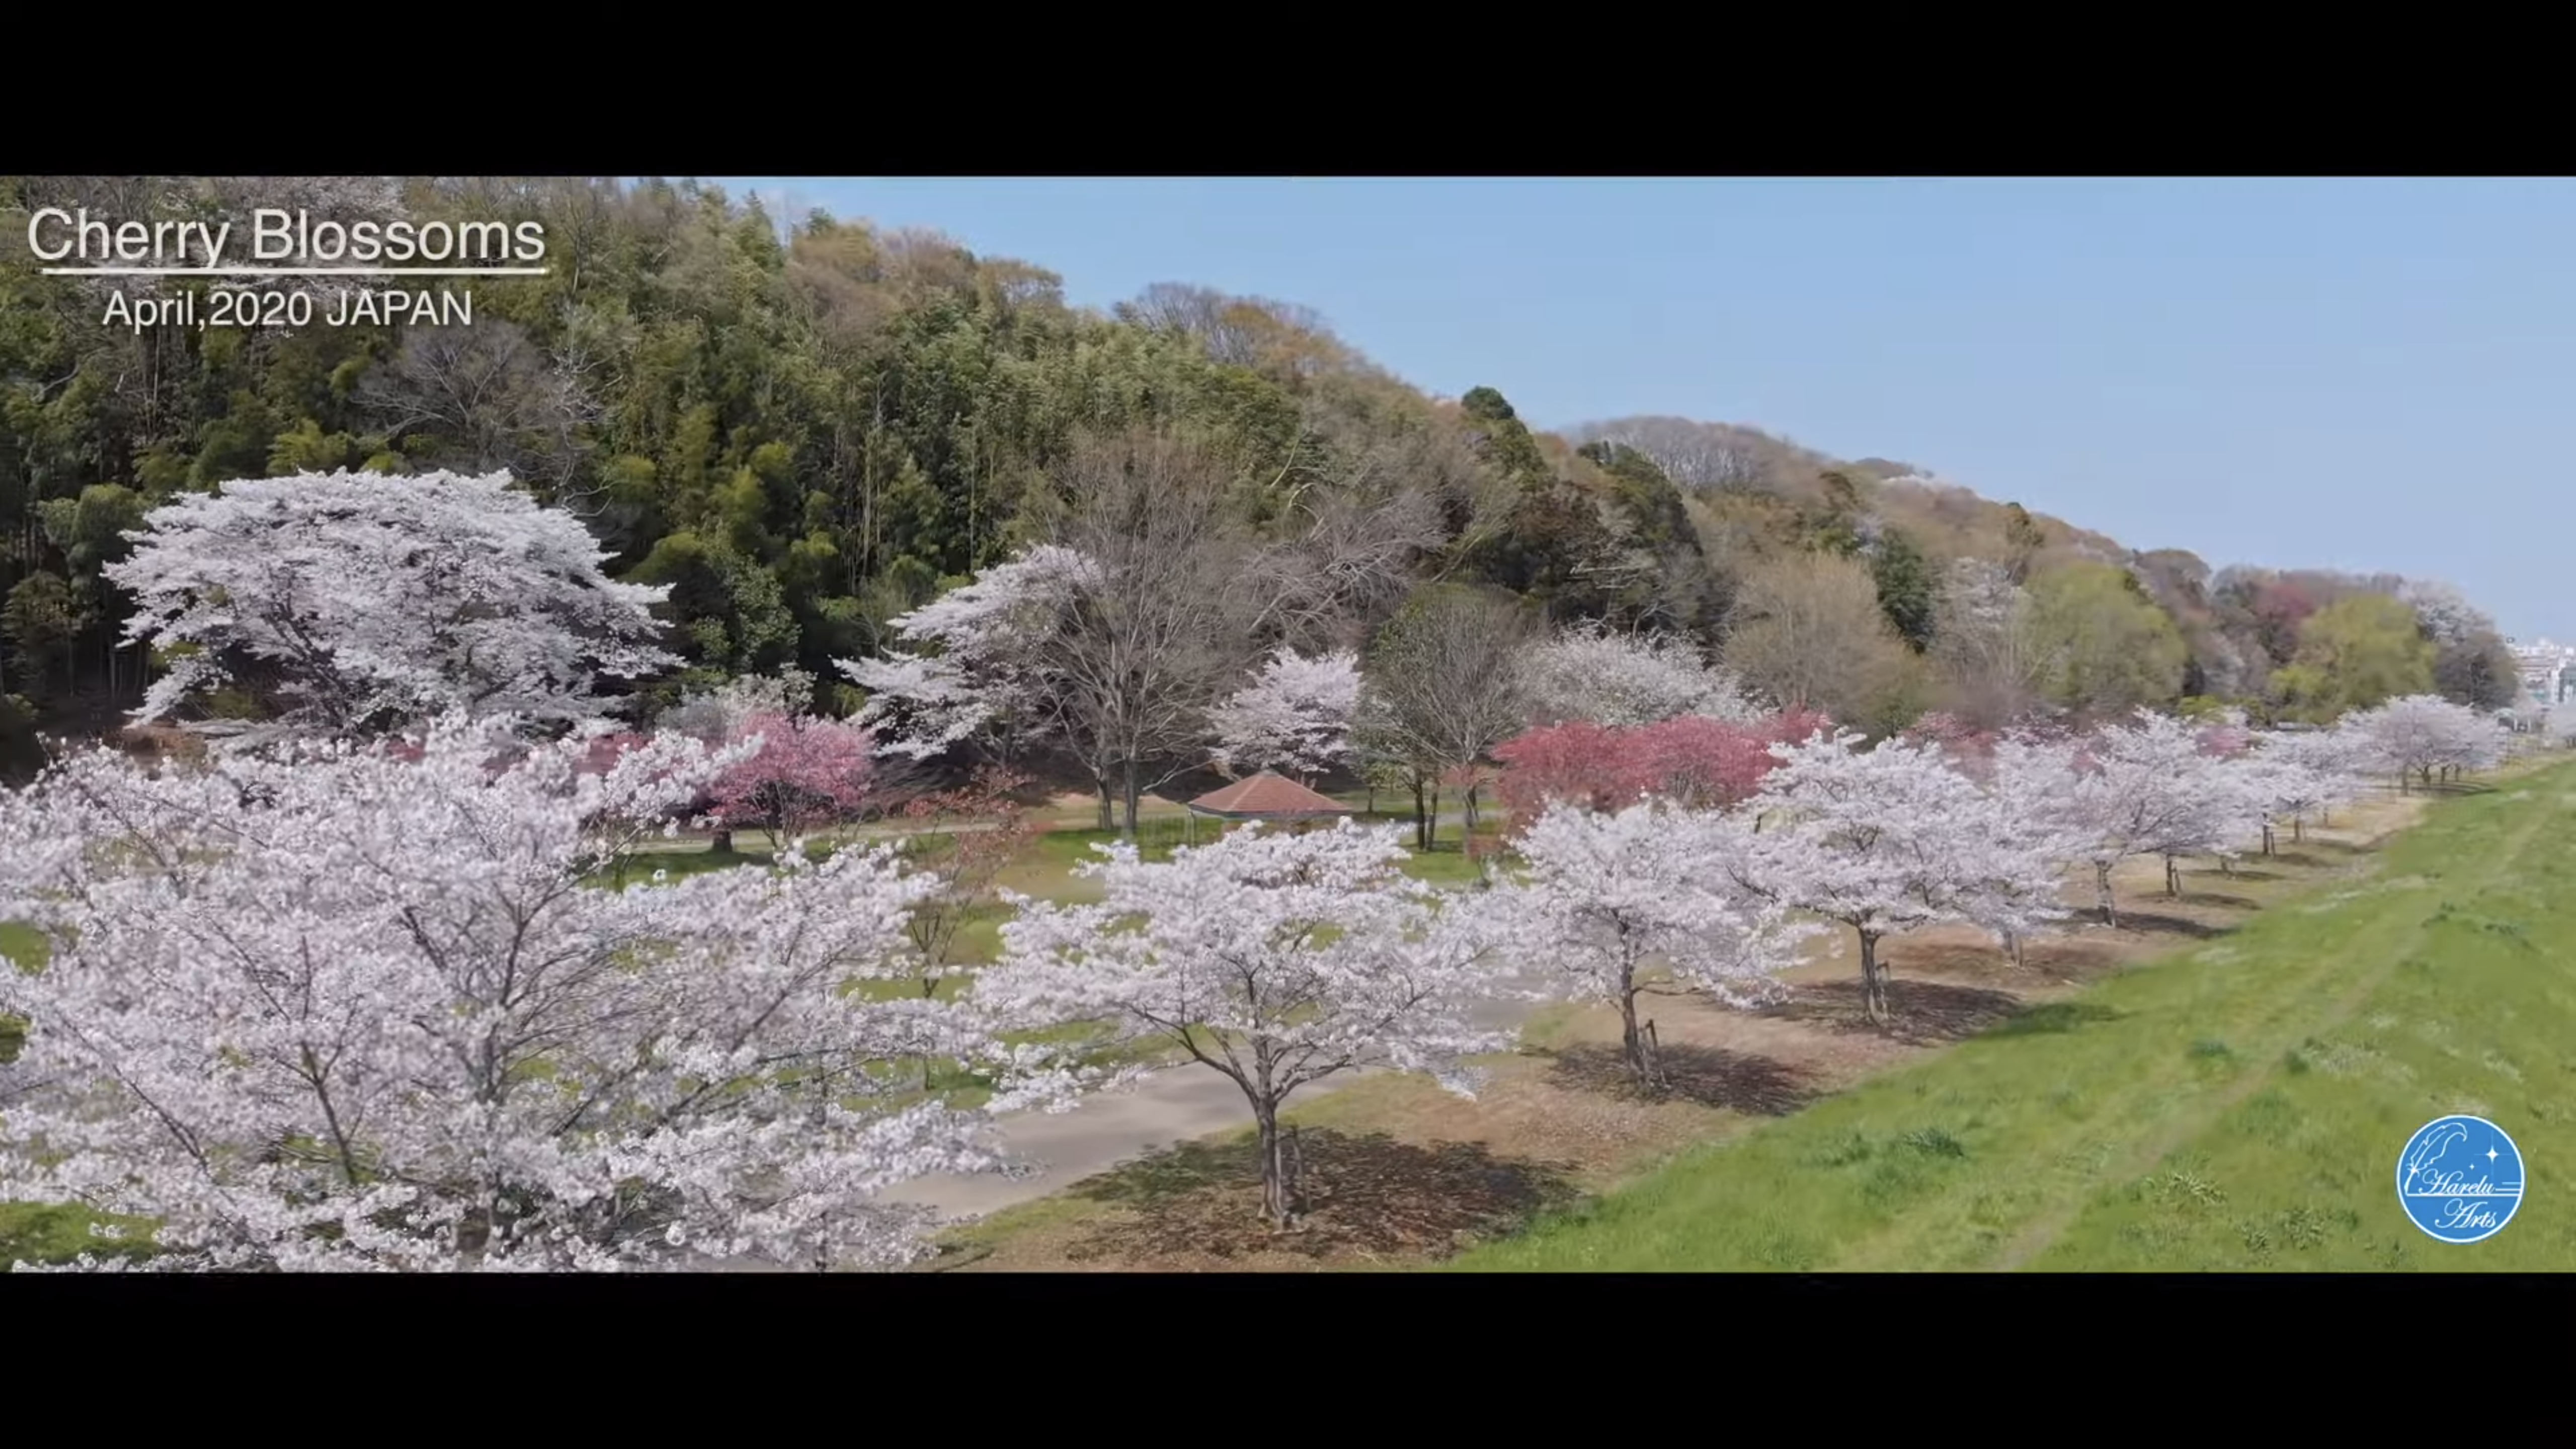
1606	896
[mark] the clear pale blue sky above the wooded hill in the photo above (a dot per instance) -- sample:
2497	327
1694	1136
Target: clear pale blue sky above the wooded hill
2353	375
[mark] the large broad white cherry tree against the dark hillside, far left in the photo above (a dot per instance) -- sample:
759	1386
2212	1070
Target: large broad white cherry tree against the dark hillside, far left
367	605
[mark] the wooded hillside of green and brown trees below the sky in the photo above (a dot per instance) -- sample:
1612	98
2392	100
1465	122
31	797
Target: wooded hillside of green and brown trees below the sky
815	429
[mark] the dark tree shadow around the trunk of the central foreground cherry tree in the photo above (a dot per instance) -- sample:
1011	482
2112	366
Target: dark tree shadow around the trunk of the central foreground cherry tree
1367	1198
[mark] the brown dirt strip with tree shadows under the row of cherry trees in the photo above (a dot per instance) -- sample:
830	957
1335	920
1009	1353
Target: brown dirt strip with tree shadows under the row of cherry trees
1400	1172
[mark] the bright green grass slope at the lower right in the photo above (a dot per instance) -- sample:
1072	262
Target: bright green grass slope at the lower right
2235	1107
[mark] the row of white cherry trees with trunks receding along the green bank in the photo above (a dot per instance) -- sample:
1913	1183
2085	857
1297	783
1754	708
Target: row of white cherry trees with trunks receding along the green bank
1279	960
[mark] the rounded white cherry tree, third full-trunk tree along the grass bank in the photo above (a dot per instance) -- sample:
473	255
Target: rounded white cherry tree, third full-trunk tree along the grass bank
1882	842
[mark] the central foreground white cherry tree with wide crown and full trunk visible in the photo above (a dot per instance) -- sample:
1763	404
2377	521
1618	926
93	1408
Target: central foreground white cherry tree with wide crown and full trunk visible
1269	958
